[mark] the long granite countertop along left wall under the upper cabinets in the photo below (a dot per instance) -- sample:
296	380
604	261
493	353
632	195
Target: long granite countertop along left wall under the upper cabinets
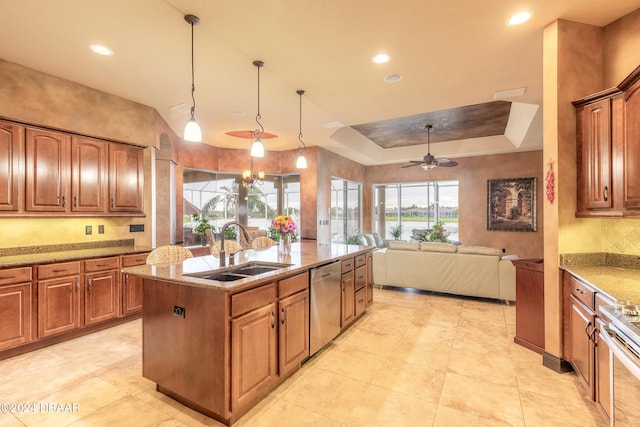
25	256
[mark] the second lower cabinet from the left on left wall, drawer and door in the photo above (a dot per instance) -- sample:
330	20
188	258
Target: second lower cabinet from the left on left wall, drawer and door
58	298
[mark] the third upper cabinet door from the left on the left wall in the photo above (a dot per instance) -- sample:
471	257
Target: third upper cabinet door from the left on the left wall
88	175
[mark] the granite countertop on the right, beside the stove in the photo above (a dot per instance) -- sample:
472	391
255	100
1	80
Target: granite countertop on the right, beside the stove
616	275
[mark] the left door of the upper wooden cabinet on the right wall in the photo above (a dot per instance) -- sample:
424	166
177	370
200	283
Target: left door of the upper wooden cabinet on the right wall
594	156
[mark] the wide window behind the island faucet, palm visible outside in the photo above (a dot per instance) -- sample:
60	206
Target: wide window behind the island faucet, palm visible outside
216	196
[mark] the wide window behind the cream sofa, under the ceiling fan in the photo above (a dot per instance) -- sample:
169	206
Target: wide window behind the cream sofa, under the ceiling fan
416	205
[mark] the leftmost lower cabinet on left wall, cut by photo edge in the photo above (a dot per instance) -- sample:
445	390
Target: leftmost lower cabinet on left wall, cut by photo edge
15	307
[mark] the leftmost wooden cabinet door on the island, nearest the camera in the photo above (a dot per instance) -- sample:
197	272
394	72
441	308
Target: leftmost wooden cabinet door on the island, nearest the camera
254	355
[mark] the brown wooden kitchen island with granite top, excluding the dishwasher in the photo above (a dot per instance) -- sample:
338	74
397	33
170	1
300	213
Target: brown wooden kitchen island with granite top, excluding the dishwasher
220	346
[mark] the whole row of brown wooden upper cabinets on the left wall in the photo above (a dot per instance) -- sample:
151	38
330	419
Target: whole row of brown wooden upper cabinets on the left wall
67	174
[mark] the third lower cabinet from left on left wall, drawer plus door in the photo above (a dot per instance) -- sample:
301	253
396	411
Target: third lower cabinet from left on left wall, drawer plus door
101	300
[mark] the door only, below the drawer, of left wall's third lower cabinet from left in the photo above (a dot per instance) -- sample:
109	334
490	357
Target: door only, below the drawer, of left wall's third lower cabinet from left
100	296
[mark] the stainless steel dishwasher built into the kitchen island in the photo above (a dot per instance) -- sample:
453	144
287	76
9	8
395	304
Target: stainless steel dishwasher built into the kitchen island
324	301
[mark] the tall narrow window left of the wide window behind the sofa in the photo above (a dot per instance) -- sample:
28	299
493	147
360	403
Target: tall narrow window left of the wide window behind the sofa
346	215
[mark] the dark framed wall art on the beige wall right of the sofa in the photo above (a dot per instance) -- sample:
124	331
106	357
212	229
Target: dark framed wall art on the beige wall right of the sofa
511	204
